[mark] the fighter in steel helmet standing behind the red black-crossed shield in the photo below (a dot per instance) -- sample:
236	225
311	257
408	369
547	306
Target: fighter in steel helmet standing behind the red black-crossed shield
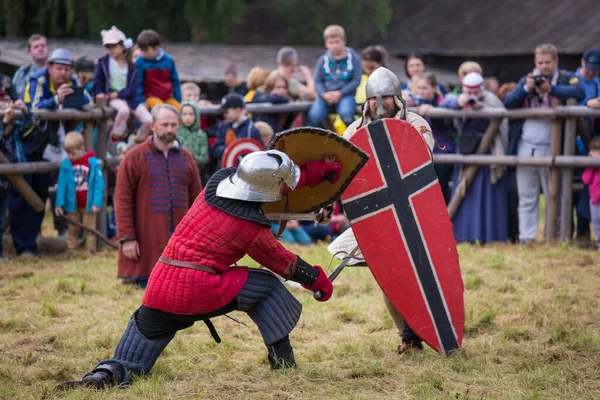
384	100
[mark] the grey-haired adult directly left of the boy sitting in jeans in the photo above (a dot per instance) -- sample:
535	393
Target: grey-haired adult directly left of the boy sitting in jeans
287	64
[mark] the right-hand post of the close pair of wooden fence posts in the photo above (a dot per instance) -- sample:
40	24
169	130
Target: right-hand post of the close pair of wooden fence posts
566	204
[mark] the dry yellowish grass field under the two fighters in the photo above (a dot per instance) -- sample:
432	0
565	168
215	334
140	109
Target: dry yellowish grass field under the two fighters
532	332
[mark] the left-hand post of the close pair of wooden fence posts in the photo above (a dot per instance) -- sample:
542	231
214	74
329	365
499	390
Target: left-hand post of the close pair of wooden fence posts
554	180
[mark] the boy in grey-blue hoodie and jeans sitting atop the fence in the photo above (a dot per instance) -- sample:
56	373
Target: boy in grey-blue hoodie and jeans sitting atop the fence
337	75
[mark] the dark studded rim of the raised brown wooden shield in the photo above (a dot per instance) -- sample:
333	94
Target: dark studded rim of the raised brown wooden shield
364	158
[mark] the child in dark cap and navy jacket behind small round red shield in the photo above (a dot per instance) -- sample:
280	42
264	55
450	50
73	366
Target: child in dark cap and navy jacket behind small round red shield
236	125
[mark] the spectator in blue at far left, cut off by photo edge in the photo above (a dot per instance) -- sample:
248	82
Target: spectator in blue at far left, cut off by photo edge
11	131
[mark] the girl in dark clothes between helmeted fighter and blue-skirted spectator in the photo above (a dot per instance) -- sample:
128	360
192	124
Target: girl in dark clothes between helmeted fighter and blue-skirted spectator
443	131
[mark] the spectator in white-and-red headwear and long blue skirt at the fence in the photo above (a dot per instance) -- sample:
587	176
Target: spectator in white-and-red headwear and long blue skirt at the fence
483	213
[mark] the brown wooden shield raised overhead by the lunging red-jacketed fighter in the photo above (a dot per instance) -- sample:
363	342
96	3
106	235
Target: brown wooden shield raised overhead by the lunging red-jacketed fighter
309	144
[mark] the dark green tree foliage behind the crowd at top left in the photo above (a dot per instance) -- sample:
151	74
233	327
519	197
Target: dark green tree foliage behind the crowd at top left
223	21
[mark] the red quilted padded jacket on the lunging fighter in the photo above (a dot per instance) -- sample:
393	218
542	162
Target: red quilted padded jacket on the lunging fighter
208	236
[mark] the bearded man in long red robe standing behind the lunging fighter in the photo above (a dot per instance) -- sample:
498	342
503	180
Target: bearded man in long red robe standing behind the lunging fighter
157	183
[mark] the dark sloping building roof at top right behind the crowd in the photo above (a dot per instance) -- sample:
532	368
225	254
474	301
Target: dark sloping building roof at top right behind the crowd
494	28
